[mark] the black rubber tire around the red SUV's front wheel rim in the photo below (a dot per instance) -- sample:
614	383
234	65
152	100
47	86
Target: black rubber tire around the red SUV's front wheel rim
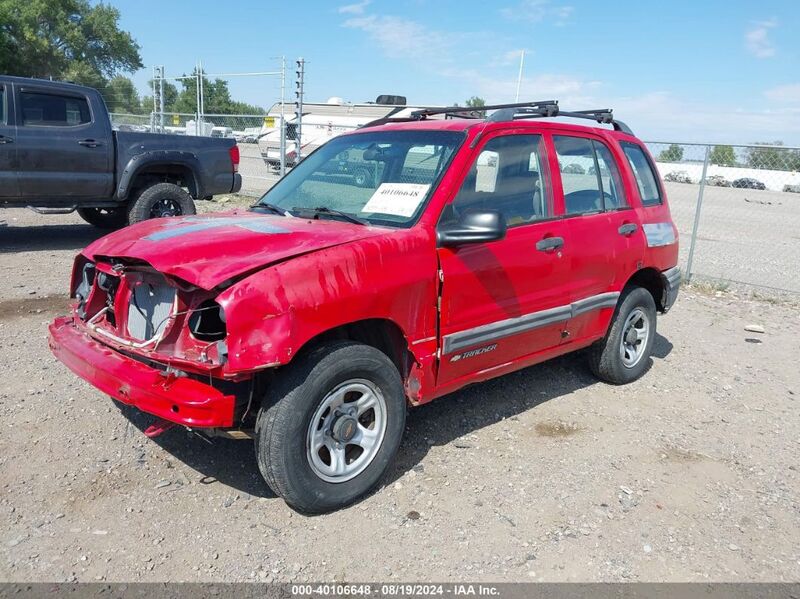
283	427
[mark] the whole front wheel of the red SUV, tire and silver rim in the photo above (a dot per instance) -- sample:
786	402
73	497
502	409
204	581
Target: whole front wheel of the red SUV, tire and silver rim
330	426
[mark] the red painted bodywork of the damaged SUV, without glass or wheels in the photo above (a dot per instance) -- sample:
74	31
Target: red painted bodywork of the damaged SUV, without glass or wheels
281	290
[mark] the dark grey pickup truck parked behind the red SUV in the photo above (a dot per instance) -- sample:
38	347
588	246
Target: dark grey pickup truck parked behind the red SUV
58	153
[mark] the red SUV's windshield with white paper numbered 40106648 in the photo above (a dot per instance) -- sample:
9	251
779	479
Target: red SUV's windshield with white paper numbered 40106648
383	177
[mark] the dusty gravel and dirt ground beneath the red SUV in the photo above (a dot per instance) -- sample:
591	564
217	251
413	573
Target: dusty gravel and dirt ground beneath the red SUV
546	474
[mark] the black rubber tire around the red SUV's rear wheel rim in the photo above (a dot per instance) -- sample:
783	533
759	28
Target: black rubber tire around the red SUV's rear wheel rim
608	359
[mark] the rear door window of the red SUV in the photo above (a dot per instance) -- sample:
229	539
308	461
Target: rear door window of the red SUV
589	175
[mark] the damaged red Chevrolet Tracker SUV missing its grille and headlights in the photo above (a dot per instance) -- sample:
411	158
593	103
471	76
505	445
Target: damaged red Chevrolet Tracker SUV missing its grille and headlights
392	266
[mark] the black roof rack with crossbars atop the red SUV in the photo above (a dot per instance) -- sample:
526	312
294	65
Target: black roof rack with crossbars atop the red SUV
511	112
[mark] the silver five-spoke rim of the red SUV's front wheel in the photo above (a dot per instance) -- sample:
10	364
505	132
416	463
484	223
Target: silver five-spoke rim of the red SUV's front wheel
346	431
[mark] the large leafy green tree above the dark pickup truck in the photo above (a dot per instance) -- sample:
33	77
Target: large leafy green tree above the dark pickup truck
64	39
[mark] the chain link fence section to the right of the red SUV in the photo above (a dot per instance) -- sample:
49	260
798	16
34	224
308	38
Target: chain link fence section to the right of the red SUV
737	209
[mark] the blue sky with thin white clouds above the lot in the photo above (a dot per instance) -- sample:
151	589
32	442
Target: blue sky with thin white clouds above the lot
686	71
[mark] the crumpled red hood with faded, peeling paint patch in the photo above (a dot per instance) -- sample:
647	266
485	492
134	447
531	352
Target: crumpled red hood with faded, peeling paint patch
207	250
